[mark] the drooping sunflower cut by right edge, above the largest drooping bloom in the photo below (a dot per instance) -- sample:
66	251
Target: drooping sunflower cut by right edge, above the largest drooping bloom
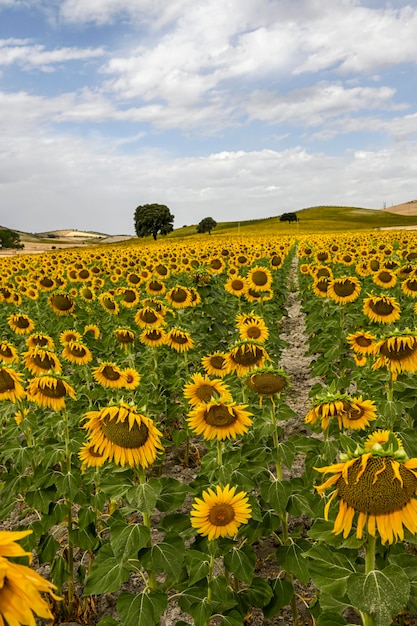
397	352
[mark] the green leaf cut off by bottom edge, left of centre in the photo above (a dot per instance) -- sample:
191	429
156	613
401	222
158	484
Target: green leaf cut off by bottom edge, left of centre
144	609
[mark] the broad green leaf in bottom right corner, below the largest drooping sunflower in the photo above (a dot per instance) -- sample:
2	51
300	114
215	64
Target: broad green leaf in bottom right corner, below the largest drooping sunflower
380	593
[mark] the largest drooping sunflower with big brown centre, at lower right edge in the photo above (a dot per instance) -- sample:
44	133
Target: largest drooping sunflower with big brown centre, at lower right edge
379	484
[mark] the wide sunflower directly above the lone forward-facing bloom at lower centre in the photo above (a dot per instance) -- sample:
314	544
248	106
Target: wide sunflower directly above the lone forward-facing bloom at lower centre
219	419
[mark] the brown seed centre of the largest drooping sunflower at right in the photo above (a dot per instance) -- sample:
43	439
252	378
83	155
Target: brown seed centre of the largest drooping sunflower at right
377	490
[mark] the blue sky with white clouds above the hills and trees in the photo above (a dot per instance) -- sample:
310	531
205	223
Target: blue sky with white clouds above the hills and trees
234	109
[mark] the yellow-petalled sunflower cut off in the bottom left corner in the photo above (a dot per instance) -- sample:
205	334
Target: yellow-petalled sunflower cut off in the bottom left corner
21	586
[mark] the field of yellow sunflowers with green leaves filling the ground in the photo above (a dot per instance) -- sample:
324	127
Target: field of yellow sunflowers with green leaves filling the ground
150	457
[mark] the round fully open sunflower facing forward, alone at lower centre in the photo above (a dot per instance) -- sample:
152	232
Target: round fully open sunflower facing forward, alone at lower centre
220	513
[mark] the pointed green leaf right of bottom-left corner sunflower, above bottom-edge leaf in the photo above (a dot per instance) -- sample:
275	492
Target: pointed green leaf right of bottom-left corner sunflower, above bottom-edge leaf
107	573
